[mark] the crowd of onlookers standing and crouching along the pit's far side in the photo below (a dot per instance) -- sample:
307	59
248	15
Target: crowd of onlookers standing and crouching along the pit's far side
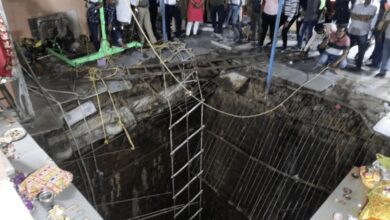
340	24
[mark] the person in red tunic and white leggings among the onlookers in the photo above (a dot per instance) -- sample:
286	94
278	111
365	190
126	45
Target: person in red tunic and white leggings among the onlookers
194	16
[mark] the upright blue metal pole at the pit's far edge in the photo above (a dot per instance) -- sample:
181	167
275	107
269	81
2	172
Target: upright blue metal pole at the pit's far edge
274	41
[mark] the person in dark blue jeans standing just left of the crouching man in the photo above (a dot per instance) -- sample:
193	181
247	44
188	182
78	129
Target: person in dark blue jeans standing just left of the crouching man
310	18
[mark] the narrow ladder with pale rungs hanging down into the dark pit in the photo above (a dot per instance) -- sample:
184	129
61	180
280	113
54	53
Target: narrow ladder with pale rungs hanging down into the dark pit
186	155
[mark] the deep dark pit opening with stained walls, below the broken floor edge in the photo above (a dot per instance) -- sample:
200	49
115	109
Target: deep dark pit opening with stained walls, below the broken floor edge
280	165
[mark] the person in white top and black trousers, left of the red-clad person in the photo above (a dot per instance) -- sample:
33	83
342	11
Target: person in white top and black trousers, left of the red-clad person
172	11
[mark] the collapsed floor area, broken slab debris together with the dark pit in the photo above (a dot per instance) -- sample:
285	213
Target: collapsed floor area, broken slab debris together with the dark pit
280	165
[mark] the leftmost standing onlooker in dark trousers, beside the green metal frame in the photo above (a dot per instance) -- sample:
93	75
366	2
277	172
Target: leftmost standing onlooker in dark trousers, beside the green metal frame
93	22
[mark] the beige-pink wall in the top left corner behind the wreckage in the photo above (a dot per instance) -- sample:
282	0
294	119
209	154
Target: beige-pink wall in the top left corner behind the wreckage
19	11
